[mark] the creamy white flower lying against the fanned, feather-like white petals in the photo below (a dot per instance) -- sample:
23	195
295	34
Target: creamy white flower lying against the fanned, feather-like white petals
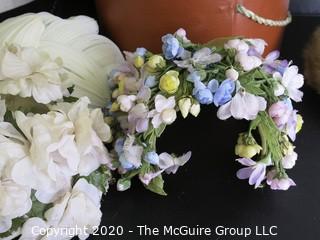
28	72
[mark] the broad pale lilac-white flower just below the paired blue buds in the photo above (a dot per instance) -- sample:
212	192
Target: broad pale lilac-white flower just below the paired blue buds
243	105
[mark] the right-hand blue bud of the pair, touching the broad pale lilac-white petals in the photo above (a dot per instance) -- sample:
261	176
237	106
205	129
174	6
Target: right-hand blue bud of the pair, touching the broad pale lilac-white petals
224	92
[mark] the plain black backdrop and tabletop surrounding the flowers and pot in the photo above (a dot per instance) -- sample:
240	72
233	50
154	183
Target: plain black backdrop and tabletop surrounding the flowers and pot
206	192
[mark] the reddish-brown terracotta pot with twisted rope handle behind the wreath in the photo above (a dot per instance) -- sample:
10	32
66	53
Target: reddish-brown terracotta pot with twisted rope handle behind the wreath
136	23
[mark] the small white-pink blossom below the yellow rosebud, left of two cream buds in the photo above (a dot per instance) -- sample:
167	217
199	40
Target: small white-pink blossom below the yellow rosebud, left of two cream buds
164	111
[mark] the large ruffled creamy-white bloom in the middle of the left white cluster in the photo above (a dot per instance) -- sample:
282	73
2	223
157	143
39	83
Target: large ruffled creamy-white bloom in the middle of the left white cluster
53	158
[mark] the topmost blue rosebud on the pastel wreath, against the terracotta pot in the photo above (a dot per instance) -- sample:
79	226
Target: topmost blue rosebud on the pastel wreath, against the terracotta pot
171	47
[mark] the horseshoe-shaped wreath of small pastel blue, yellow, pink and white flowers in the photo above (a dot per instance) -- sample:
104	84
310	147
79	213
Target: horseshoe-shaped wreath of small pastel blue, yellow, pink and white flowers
149	89
